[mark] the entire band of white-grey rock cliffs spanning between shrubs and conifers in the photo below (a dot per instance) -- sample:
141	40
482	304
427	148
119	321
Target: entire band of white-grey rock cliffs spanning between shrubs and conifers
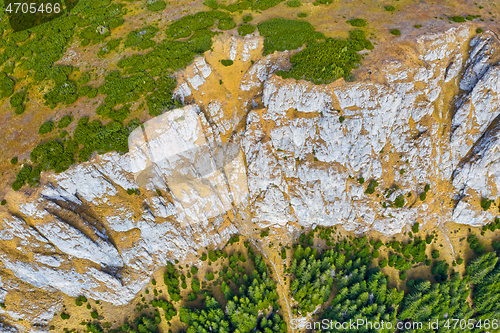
310	153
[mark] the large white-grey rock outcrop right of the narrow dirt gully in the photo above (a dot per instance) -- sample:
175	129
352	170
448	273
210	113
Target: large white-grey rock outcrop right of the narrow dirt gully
309	145
